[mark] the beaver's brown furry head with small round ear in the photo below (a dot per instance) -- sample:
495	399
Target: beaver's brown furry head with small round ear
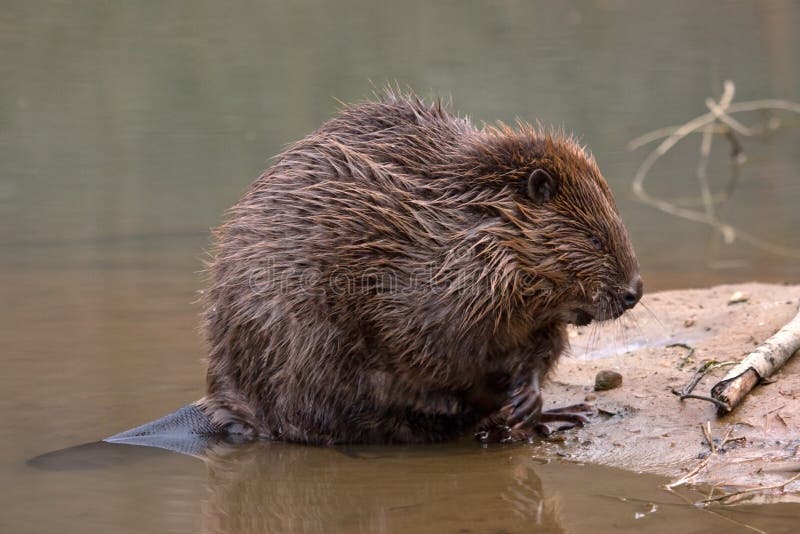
557	223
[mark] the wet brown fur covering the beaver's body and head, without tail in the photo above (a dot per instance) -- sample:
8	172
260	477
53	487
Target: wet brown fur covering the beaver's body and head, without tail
389	279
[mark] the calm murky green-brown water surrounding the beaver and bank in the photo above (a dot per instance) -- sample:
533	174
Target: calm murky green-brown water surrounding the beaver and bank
126	128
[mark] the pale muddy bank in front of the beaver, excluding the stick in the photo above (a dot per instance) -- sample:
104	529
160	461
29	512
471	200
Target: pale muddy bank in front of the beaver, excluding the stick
642	426
